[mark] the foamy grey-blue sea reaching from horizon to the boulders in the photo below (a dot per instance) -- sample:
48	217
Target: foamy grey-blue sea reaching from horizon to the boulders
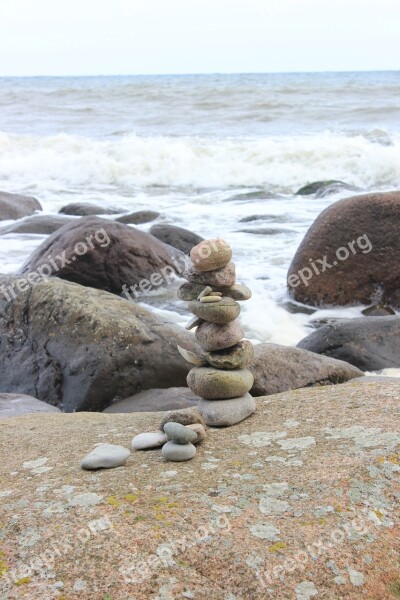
220	155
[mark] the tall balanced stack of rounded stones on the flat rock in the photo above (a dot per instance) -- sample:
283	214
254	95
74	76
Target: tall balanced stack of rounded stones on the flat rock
219	376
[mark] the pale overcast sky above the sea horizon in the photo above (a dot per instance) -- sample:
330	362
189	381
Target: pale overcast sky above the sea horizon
83	37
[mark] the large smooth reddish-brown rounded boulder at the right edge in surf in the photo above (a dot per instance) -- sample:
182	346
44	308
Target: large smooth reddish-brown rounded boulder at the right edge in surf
350	254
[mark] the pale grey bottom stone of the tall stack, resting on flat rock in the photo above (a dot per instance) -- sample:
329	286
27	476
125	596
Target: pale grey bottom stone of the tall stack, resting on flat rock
224	413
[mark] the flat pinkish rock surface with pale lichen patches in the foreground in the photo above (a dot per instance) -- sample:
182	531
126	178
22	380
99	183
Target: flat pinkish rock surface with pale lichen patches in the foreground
299	501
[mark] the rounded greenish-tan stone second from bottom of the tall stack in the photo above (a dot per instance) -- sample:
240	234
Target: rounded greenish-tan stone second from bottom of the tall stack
210	383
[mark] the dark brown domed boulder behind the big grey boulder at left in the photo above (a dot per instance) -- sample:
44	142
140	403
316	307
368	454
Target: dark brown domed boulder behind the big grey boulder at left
106	255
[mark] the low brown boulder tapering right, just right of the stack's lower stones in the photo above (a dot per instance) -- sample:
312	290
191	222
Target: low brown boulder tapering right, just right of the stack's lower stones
279	368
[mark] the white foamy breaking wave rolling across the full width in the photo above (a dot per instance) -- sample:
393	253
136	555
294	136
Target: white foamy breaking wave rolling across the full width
281	163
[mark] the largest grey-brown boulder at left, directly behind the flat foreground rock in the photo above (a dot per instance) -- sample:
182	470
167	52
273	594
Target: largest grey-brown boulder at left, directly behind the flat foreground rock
79	348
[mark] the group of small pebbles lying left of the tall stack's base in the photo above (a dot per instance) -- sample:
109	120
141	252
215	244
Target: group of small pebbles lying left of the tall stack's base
178	436
